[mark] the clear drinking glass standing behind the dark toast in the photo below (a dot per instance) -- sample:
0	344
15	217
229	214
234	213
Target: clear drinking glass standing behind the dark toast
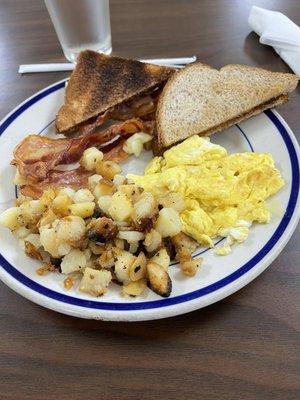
81	25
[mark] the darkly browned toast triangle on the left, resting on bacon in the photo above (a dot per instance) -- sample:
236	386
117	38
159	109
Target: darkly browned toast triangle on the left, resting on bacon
100	82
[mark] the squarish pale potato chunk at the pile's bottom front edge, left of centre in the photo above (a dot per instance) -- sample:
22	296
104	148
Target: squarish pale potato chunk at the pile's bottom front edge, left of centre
95	282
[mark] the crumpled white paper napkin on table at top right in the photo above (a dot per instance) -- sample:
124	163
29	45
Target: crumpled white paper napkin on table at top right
278	31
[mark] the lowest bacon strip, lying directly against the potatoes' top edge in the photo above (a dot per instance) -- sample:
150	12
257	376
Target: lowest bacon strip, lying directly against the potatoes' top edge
75	178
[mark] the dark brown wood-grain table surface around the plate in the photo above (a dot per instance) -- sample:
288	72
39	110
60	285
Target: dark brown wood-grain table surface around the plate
244	347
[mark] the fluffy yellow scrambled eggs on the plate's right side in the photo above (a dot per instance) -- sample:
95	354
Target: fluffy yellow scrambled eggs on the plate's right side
224	193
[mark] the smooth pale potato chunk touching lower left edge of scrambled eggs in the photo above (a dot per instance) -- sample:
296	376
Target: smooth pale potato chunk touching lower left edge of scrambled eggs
168	222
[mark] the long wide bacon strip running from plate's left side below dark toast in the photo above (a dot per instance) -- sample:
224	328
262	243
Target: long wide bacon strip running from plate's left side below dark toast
36	156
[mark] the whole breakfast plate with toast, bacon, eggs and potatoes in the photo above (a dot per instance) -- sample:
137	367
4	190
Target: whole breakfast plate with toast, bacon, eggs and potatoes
135	192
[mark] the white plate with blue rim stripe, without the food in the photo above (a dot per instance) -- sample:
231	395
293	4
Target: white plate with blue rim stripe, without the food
218	276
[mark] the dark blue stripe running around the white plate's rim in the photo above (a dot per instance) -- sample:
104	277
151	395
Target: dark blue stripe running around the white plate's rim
101	305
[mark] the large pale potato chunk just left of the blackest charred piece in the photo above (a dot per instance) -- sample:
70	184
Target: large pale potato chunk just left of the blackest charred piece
70	229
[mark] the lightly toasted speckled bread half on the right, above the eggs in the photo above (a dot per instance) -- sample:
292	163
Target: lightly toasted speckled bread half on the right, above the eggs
202	100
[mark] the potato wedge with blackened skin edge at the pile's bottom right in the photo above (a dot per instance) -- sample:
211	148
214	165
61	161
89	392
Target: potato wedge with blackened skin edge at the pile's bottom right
159	279
